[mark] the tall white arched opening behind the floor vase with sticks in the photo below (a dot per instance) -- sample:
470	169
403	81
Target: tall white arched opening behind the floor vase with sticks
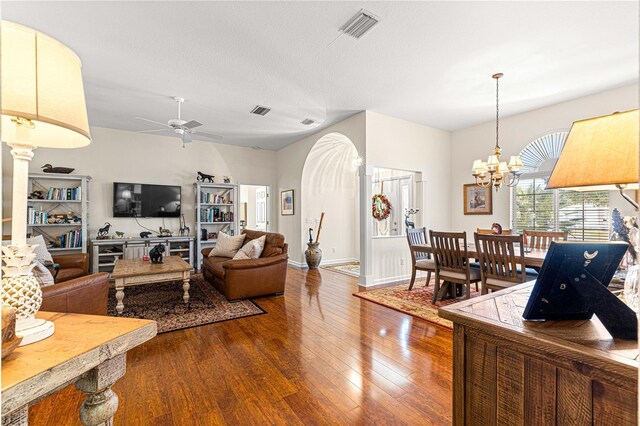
330	185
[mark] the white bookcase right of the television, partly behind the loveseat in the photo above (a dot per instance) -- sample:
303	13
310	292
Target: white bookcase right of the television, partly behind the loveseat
216	211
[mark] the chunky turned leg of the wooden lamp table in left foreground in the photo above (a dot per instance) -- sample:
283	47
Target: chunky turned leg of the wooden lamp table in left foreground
101	403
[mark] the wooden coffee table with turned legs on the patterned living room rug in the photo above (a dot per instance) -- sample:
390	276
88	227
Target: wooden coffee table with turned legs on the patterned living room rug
128	272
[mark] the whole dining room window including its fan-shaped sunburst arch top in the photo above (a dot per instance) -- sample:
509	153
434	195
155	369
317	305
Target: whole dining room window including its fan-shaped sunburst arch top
585	215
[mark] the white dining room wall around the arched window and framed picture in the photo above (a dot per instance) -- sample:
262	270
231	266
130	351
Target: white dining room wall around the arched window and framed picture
516	132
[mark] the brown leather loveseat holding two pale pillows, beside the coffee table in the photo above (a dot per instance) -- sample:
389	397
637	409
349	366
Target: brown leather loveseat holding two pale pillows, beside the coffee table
244	278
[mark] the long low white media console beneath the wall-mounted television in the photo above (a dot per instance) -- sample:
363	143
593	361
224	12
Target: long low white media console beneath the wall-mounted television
104	253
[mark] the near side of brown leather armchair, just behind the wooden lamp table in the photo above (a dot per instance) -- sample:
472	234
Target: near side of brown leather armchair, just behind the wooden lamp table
85	295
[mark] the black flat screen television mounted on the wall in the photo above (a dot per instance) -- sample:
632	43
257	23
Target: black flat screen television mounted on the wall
144	200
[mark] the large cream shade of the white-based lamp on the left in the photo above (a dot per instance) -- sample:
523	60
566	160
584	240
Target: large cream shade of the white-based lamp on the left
43	102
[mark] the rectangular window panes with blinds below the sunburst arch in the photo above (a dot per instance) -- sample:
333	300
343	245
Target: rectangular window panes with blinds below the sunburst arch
585	215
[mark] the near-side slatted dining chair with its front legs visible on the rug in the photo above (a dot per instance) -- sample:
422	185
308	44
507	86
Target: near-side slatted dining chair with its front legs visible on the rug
451	256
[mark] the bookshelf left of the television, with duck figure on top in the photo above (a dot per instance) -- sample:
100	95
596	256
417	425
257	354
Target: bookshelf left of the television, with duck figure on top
62	217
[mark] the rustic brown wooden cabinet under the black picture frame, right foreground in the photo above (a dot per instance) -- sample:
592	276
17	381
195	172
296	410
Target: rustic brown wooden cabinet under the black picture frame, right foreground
508	371
